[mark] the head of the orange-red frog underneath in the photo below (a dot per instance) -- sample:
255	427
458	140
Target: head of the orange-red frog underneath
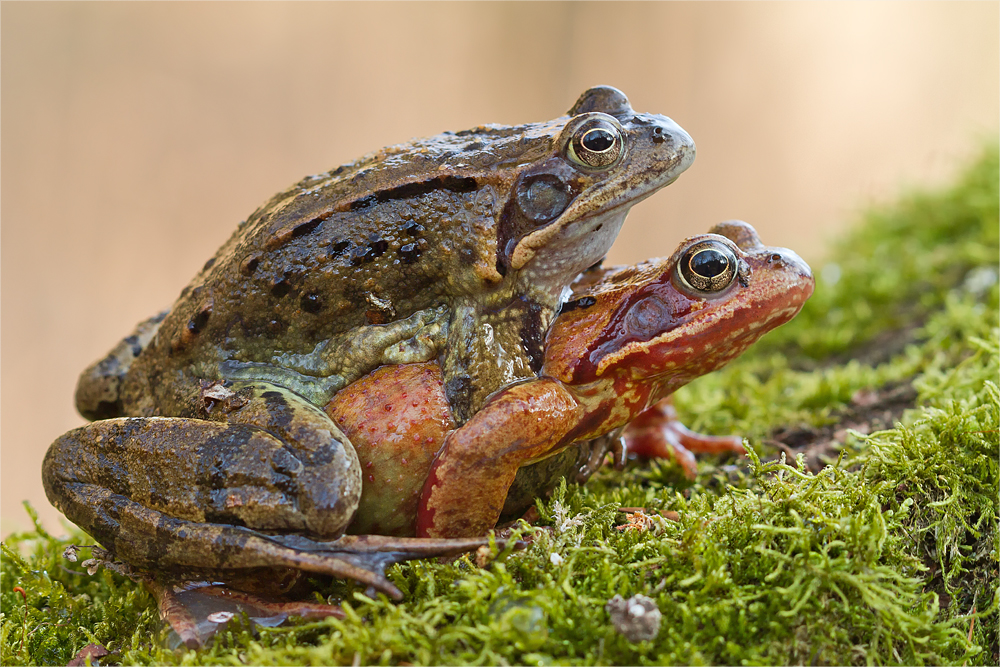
671	320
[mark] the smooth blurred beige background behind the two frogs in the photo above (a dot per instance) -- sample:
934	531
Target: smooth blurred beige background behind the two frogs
135	136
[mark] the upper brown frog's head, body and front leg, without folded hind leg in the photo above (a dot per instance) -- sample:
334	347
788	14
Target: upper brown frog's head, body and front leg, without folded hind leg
479	232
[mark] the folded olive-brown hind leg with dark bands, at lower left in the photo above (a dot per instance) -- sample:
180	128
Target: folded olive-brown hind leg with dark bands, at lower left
264	482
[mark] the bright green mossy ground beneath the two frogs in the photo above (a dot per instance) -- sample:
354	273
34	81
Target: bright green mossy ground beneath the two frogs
826	545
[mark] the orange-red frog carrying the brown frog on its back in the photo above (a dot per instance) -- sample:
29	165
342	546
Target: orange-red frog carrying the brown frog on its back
627	340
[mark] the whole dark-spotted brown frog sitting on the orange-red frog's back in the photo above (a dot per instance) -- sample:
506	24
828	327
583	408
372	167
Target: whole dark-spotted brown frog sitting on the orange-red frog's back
212	456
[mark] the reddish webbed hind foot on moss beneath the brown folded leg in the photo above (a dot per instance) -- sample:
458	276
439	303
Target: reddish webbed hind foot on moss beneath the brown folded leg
195	611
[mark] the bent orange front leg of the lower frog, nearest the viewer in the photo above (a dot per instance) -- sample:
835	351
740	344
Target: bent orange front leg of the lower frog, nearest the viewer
468	483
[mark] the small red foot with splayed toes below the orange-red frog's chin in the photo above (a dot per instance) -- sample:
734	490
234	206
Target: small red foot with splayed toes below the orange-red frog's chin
657	433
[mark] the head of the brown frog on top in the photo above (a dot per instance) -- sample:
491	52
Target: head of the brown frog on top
564	211
